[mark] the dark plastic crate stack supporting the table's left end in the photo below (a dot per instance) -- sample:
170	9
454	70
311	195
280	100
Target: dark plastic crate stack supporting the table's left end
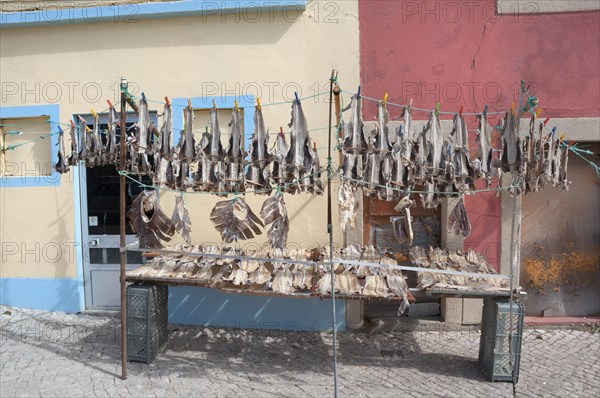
147	315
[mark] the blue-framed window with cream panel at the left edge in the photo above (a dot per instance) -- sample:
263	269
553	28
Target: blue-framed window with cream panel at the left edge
29	146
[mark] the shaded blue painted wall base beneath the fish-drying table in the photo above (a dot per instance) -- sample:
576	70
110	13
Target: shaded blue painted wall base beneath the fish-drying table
211	307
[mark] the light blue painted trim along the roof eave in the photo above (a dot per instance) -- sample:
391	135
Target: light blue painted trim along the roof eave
131	13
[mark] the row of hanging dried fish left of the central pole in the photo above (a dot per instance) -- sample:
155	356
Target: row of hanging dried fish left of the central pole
203	164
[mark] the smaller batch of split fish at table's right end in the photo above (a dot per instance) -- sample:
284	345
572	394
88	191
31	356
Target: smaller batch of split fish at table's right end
468	262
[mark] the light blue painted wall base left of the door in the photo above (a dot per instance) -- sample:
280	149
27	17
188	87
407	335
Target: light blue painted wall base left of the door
47	294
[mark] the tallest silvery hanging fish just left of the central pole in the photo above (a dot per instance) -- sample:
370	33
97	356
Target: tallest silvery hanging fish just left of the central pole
299	158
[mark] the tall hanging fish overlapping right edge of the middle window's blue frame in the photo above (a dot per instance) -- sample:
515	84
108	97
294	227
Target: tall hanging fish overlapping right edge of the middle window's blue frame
258	174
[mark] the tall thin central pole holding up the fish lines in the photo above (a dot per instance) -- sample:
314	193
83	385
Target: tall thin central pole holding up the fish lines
330	231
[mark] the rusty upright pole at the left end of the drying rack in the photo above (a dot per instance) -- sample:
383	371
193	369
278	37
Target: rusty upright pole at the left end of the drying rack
122	210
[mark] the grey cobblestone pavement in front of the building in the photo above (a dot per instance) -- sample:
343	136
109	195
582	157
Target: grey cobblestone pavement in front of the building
56	354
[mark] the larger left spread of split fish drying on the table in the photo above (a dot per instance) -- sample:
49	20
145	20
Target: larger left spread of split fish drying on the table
284	271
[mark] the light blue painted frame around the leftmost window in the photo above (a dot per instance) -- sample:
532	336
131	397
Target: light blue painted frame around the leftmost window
53	114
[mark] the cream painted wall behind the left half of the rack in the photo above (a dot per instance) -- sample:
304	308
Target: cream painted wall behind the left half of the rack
174	57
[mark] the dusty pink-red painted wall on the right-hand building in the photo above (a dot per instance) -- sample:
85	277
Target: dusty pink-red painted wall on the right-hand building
462	53
